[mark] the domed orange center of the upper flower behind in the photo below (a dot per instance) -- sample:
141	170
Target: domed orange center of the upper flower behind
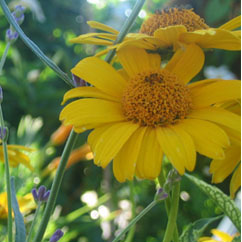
171	17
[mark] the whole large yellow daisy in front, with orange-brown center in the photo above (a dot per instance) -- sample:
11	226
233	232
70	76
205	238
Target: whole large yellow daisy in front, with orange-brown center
146	111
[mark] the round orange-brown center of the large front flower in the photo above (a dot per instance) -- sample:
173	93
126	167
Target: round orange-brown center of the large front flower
156	98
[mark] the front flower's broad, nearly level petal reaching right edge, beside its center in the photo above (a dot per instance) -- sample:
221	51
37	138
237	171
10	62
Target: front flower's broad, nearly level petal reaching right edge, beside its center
221	91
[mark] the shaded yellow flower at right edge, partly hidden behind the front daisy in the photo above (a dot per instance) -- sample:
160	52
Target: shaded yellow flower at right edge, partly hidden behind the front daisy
231	163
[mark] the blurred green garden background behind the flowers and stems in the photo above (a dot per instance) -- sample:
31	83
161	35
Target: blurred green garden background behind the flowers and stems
92	205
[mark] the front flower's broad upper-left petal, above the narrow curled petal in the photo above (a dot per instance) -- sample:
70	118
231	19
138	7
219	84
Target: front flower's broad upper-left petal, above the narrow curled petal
100	74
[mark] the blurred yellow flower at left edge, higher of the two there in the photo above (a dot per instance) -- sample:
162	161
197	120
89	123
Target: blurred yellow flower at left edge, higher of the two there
16	156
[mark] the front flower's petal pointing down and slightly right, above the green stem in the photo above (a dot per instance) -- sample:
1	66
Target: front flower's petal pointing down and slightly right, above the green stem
172	143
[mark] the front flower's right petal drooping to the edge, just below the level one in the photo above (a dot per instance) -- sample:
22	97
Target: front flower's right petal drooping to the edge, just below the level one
217	115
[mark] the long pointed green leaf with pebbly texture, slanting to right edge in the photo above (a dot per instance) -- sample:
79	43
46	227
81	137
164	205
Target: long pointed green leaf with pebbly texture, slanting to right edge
225	203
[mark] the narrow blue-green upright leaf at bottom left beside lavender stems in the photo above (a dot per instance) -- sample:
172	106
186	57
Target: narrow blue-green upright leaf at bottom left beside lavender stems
18	218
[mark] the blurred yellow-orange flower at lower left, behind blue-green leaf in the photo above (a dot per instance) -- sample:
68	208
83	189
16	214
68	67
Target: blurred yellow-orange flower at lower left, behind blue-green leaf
26	204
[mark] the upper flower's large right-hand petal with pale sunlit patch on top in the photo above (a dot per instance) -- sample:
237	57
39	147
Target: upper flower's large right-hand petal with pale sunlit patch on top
212	38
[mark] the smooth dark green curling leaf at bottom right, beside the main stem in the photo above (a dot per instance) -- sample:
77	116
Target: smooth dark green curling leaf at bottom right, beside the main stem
194	231
